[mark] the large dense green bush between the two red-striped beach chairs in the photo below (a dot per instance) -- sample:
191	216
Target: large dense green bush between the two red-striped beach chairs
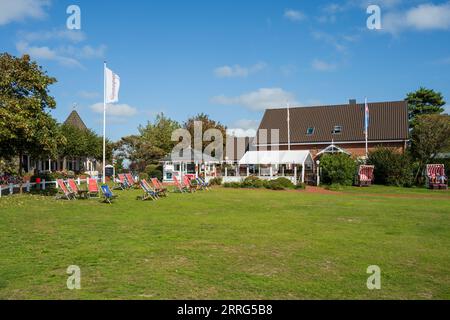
392	168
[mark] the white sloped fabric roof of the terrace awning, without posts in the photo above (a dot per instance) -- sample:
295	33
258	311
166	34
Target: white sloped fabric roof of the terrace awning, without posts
276	157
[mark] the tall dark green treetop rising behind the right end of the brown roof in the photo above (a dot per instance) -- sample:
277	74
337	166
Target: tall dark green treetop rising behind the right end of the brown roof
424	101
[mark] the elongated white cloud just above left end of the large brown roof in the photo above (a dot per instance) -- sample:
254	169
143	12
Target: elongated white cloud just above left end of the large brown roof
258	100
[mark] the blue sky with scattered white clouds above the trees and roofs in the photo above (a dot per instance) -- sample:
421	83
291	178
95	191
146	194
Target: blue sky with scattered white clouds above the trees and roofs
230	59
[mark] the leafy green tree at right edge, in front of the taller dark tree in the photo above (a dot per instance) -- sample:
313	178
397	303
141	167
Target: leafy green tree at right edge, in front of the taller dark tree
431	135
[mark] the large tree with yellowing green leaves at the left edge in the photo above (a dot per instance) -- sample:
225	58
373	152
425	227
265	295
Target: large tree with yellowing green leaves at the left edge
26	127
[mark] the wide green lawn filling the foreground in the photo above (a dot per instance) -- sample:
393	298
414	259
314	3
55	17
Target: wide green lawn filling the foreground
229	244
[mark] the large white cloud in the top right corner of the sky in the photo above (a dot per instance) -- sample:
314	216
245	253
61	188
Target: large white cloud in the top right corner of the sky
422	18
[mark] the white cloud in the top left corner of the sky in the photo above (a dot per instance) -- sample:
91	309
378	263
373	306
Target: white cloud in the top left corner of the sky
19	10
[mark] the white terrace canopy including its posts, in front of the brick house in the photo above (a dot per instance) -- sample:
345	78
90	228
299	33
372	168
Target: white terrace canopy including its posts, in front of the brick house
278	157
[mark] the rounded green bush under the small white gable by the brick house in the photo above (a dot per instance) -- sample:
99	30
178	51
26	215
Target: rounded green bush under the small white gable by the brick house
338	168
